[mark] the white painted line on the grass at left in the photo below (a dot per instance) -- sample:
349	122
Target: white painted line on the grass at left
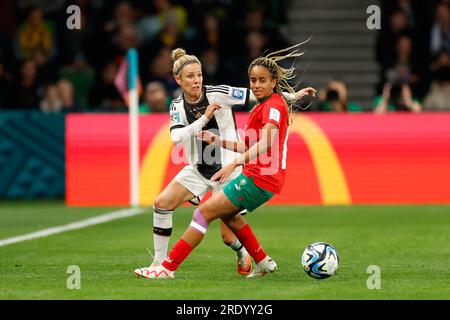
74	225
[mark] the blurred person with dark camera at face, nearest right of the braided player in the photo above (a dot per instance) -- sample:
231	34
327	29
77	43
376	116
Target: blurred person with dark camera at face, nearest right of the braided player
334	98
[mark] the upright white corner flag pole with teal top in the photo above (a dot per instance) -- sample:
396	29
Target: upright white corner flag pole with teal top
133	117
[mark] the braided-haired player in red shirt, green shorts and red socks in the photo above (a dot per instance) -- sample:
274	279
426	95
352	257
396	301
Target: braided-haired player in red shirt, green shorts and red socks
263	157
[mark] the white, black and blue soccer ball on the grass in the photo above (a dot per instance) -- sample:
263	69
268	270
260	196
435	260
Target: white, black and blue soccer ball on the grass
320	260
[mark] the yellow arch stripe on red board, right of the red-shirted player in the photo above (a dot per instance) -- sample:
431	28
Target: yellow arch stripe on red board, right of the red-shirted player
332	182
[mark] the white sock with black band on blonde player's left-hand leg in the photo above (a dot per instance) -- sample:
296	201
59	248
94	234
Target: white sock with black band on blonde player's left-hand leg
162	230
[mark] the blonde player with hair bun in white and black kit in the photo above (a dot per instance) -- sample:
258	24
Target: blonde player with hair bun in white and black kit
199	108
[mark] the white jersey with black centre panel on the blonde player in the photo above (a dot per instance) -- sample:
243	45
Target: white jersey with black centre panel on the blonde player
188	119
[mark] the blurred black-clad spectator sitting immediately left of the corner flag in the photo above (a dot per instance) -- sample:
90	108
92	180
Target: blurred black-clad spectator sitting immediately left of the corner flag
104	95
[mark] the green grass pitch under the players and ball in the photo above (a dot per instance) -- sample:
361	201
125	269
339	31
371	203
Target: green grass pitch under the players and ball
410	244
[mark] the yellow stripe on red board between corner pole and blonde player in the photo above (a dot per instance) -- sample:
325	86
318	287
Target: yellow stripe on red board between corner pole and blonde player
154	166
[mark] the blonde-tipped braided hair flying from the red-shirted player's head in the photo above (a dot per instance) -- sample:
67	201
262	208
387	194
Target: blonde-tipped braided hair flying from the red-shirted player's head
281	75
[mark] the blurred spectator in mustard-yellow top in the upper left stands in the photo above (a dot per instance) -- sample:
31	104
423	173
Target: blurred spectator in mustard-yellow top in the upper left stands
35	36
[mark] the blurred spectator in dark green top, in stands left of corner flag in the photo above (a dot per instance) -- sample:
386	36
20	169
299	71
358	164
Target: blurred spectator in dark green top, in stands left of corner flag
82	77
